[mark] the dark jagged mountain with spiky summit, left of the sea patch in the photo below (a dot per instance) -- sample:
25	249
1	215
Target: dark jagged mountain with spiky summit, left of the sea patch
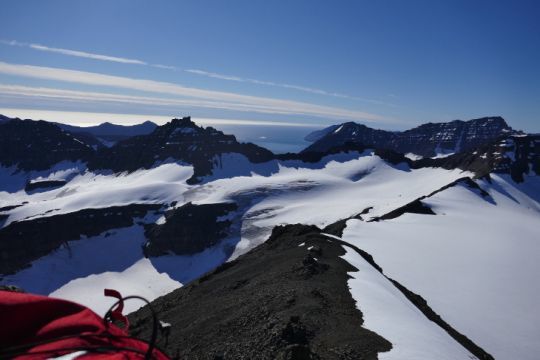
181	140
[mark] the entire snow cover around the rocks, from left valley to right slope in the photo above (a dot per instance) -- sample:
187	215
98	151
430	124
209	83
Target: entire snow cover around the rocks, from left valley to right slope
475	261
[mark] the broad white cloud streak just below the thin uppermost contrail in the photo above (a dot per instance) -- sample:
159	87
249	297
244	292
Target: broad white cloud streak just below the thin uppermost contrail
213	99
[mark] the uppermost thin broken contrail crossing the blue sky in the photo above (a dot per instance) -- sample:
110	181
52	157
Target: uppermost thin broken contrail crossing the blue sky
84	54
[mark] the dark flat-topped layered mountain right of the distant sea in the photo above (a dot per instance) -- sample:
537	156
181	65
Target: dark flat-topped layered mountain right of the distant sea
426	140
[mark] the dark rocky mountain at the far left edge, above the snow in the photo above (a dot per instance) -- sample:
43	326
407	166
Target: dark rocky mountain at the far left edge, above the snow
37	145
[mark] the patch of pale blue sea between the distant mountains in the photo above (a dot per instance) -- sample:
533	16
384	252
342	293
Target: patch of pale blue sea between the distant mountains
278	139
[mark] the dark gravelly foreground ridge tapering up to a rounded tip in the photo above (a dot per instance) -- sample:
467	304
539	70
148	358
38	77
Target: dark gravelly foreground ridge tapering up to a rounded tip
258	307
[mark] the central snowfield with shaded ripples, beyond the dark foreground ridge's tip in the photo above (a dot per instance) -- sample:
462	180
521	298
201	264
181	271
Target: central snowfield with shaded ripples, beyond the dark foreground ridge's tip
320	194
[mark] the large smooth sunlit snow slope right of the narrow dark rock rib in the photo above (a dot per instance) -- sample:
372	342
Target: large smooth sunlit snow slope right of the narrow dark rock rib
475	262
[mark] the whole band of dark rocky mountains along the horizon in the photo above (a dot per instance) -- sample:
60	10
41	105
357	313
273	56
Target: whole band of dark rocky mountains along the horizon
37	145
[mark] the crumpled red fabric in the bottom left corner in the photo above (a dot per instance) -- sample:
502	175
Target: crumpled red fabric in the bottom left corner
27	319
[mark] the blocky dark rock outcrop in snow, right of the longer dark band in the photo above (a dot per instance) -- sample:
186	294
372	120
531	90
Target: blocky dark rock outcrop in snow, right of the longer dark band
188	229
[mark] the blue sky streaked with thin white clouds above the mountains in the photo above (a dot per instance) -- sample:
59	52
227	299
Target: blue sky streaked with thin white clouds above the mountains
388	64
